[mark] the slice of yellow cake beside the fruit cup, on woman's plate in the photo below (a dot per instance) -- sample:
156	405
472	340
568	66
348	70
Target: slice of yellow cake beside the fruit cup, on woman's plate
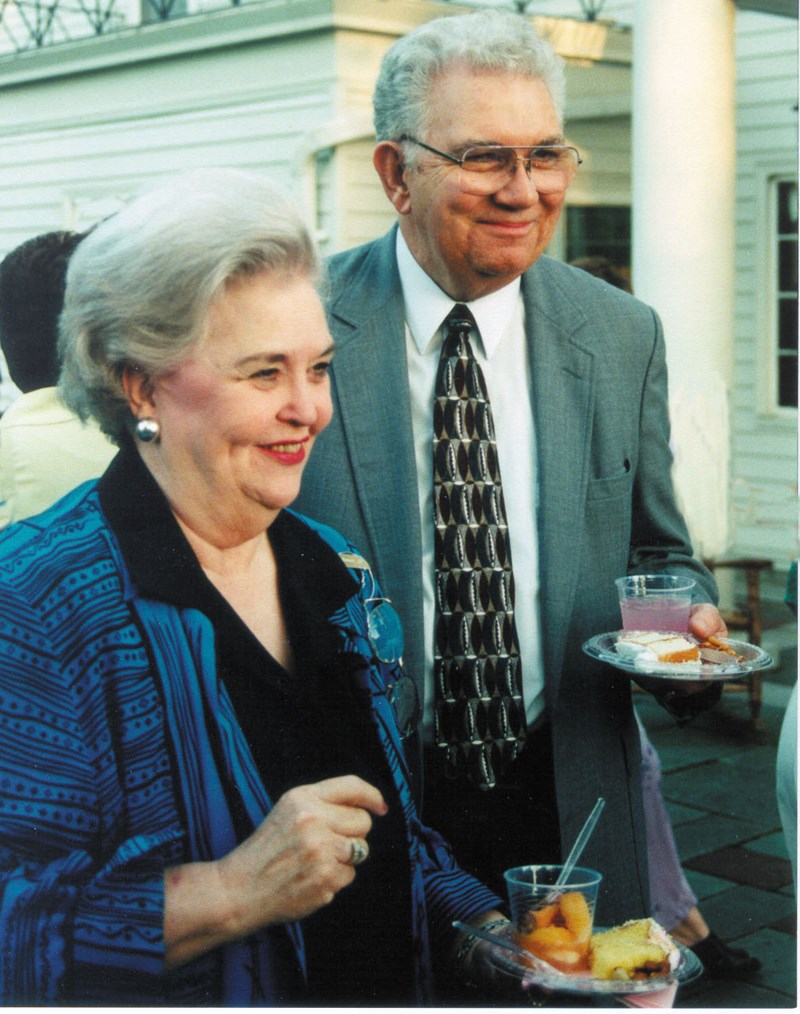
637	950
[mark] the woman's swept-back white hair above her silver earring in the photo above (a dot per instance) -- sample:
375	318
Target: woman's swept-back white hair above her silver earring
140	284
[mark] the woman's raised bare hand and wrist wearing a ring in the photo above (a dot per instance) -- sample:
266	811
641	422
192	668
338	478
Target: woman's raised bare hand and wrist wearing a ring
294	864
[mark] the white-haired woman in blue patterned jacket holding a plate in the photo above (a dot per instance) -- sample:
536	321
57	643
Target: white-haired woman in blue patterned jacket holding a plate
205	796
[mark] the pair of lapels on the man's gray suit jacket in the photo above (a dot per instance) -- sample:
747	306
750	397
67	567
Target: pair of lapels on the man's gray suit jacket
369	323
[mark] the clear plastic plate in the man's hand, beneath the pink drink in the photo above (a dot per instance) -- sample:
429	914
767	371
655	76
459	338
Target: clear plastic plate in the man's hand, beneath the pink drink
603	647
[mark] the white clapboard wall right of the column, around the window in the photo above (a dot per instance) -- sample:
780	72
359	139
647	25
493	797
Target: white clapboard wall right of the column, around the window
764	440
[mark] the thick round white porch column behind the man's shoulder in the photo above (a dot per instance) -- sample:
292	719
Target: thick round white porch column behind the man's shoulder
684	181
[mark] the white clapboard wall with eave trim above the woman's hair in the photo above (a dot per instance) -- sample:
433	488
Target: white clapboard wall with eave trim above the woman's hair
80	134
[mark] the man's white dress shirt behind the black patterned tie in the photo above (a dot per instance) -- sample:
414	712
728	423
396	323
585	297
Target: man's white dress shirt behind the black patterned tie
502	353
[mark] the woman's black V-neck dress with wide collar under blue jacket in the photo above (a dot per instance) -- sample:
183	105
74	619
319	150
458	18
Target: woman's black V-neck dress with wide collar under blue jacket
302	728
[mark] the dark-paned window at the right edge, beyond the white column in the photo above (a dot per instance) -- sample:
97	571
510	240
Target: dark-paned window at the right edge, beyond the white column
786	293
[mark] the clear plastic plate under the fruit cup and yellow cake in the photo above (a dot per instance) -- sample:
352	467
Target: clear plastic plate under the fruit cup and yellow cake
690	968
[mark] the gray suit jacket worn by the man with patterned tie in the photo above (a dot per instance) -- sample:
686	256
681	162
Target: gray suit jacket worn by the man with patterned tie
606	508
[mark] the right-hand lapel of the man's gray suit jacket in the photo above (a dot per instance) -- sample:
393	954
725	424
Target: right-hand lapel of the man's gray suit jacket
562	372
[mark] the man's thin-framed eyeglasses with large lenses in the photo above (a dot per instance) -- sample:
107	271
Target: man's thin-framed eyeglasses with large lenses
487	169
